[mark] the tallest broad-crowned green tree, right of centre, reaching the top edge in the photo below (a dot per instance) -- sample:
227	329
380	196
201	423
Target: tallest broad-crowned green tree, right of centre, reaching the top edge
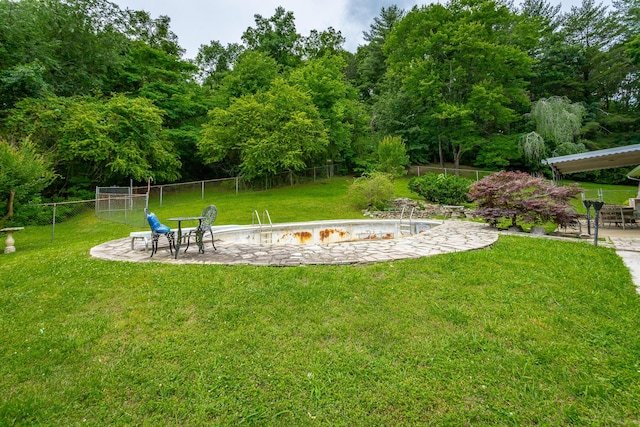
466	65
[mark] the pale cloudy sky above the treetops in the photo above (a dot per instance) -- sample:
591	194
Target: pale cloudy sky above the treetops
198	22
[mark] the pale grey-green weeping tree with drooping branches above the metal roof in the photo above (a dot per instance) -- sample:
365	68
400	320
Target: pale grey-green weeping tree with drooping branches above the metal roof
558	121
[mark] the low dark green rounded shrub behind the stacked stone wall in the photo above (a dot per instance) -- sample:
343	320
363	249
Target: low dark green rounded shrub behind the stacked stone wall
441	189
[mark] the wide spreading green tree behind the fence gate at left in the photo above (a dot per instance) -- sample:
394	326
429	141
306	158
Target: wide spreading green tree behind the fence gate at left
103	140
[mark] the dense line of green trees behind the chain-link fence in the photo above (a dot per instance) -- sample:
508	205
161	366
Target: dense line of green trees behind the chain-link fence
97	95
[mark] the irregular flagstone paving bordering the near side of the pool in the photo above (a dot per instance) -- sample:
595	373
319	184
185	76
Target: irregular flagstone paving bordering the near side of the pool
450	236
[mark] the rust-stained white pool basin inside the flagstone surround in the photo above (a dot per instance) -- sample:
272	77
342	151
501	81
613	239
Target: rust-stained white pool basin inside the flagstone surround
323	232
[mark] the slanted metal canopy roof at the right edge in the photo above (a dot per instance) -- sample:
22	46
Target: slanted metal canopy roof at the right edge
628	155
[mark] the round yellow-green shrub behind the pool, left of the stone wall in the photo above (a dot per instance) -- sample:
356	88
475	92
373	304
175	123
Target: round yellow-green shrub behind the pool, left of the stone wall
374	190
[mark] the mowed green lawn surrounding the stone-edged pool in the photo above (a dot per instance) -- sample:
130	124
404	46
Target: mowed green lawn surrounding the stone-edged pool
528	332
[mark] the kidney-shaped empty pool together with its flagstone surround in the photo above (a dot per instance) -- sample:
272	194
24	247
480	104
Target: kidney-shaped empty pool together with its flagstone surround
325	242
